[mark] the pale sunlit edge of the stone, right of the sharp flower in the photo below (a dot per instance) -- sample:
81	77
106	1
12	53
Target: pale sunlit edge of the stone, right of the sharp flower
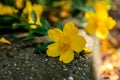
94	44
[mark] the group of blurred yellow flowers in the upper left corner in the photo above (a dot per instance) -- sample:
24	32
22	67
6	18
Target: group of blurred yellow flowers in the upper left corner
28	9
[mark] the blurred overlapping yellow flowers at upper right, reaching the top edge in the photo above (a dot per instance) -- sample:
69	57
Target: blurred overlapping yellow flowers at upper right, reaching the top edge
99	22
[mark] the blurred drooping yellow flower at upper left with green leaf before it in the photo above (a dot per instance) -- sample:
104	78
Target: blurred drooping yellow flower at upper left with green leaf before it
28	10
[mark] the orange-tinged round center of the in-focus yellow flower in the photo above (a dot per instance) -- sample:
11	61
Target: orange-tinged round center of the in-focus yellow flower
64	43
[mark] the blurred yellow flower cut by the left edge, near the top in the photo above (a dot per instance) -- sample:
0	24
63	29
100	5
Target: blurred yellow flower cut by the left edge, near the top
7	10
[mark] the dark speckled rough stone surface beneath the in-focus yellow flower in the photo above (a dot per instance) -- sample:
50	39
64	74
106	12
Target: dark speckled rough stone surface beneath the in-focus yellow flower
18	62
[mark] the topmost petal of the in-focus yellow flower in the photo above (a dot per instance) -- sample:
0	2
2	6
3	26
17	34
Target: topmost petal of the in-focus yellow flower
70	29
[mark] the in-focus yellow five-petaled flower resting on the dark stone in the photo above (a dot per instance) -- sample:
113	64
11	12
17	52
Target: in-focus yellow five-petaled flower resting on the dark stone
65	43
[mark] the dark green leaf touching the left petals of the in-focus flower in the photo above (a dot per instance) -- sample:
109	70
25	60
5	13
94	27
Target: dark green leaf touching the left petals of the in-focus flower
42	48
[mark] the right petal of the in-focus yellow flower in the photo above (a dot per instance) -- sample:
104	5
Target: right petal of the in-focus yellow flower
78	43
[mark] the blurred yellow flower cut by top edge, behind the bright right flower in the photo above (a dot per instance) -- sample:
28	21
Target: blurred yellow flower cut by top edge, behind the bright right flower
100	4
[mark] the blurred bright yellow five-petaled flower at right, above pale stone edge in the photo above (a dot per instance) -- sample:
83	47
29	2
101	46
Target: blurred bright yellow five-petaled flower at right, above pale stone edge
100	23
